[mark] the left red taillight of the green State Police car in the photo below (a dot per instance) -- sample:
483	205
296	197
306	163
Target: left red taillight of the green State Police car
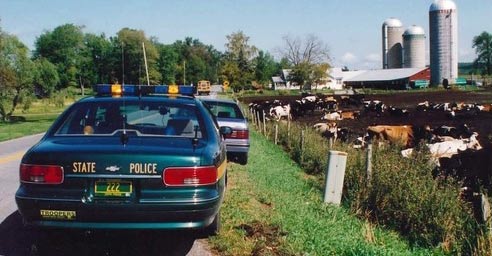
42	174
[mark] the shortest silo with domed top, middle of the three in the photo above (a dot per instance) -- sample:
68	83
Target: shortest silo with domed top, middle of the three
414	47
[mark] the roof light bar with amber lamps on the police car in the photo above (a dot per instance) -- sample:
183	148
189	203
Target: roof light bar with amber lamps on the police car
117	90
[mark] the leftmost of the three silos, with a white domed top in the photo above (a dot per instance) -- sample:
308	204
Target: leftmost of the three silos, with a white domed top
392	31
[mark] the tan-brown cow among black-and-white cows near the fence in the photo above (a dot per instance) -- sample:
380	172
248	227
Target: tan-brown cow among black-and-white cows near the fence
406	135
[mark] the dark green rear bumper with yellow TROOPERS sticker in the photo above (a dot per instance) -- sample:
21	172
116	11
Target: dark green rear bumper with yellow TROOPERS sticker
119	215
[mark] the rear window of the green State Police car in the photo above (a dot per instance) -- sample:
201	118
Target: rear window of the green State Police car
147	119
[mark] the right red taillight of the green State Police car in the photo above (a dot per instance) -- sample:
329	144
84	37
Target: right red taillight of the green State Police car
190	176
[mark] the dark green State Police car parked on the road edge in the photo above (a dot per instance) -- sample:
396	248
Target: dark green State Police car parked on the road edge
131	157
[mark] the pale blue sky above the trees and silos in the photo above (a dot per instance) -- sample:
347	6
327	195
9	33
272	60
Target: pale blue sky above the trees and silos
350	28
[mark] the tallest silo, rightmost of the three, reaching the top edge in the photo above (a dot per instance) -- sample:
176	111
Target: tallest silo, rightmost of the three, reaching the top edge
443	37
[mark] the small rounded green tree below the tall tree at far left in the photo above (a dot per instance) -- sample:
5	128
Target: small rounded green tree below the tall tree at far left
45	77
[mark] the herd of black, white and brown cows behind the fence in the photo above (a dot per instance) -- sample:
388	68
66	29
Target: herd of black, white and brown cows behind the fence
455	149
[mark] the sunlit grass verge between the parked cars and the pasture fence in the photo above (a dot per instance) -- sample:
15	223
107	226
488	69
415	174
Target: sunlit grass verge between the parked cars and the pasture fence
272	207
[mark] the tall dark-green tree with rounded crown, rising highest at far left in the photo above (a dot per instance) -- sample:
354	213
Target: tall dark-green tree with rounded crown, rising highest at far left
64	47
